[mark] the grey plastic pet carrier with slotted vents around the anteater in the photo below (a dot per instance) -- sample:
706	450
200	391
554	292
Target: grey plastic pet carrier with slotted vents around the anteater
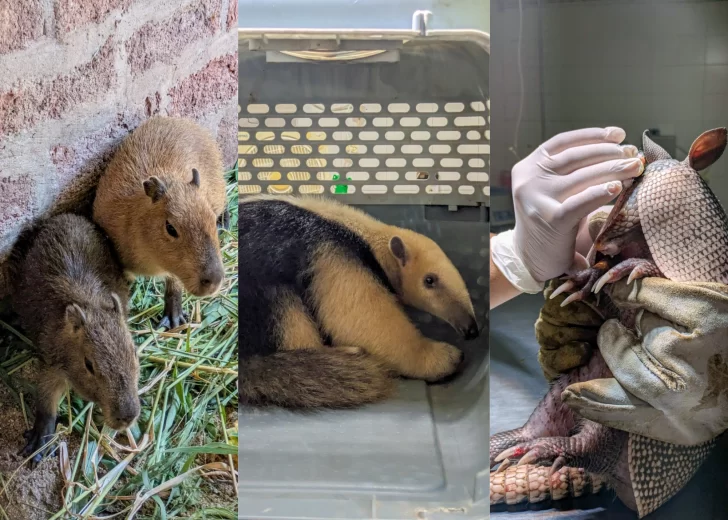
395	122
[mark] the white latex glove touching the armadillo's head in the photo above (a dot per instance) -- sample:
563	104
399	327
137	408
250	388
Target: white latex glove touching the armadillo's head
554	189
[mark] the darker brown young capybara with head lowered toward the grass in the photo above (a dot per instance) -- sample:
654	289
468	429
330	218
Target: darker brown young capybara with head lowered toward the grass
70	294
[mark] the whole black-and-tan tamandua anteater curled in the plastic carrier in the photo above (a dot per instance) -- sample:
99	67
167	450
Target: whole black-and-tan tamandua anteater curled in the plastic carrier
322	288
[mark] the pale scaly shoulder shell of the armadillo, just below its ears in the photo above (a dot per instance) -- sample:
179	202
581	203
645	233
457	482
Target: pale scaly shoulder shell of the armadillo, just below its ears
684	225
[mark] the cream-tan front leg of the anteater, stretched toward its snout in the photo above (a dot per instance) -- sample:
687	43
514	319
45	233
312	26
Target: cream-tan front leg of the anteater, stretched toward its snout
357	310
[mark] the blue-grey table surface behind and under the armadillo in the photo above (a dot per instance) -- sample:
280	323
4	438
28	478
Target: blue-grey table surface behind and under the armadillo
517	385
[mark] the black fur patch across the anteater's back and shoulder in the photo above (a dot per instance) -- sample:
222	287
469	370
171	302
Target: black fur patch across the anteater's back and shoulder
277	242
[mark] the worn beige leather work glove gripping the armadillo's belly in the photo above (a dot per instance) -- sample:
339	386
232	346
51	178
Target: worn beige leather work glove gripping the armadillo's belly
671	376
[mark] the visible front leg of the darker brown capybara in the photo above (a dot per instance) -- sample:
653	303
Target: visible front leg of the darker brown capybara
51	385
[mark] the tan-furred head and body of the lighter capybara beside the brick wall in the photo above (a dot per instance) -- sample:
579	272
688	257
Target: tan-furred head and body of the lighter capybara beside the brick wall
168	148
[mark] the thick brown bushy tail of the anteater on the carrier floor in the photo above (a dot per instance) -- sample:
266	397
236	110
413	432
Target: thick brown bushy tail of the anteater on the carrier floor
315	378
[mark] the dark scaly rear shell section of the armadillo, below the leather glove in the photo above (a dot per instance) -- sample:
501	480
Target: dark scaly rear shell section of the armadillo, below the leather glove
659	470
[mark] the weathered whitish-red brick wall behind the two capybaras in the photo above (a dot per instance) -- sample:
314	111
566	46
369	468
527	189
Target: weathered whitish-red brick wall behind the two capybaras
77	75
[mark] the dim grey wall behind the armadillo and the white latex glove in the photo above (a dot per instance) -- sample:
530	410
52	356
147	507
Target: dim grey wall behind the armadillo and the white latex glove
613	63
